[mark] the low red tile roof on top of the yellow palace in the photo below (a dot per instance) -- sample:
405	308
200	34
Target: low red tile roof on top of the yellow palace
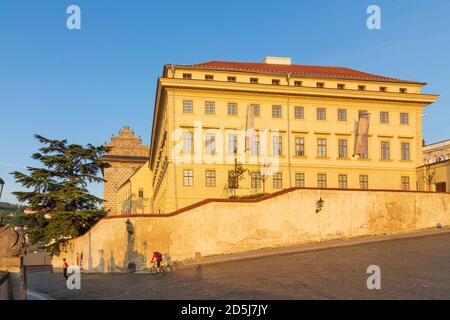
297	69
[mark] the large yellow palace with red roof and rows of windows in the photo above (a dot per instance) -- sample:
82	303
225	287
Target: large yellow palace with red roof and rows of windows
289	125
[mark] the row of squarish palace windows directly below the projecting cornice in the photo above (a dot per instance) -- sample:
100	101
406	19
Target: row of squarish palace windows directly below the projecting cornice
299	112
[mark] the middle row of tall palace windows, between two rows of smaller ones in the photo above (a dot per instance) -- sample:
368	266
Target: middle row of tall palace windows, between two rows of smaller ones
300	150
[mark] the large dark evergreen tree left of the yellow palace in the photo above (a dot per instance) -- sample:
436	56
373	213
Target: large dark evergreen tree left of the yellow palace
58	193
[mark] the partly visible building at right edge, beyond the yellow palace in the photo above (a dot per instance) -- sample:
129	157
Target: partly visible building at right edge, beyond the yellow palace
434	174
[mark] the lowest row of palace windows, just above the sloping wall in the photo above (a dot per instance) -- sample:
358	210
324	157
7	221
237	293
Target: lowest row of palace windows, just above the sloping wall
277	180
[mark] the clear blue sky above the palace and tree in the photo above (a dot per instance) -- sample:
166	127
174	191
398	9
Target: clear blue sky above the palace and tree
85	84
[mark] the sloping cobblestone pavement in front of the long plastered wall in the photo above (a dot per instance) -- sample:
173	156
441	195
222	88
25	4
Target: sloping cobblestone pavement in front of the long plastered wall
416	268
